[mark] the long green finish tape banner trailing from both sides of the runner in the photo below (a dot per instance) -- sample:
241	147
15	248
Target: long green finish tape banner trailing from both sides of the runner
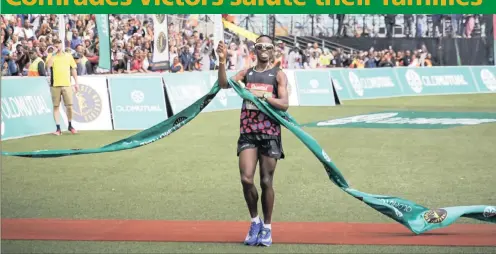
417	218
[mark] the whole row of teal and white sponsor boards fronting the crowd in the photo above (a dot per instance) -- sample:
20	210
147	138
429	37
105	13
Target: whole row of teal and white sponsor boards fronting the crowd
136	102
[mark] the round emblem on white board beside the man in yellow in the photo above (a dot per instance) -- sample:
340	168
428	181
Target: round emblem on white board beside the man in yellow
87	104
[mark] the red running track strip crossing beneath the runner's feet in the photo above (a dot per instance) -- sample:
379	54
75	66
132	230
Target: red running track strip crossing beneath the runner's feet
234	232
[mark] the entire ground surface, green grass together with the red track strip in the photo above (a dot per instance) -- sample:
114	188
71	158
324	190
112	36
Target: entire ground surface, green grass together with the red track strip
187	185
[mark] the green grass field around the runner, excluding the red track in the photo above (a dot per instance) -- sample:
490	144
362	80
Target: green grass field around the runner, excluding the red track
193	175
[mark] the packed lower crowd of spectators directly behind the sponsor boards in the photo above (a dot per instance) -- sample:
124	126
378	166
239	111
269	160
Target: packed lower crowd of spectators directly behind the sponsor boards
25	37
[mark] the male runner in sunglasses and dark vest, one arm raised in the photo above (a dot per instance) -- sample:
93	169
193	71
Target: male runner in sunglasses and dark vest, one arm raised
260	136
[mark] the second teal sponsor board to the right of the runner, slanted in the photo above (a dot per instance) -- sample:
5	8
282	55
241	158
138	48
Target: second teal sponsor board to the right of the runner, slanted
372	83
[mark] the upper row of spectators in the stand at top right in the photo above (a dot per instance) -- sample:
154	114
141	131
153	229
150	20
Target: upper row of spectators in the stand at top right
404	25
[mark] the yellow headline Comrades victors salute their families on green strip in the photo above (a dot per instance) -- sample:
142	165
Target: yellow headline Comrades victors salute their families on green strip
253	3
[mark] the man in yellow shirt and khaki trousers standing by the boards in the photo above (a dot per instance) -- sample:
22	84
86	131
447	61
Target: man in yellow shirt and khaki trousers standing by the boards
61	66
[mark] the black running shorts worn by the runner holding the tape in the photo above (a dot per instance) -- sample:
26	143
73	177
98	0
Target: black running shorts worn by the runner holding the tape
270	146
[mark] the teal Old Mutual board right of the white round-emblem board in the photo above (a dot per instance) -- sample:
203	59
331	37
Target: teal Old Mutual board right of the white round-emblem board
137	102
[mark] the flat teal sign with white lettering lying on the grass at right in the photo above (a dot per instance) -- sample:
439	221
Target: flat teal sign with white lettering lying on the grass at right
409	120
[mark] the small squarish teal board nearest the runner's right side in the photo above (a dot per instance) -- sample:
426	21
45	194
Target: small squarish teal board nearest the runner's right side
314	88
